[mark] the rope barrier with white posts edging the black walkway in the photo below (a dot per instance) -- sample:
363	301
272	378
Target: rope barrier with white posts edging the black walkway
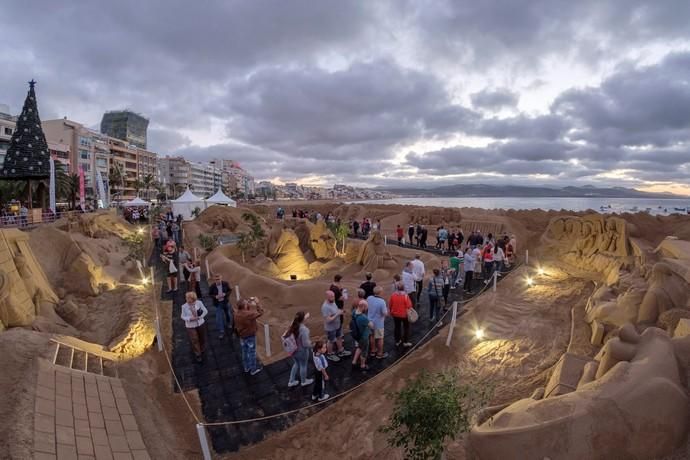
201	426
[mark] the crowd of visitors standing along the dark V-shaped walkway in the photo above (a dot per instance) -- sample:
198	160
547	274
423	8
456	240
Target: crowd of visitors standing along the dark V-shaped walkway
370	308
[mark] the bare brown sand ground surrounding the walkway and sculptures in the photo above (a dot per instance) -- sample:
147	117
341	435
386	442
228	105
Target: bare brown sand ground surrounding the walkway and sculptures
528	329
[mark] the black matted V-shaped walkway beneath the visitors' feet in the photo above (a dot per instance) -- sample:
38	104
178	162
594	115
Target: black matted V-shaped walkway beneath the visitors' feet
228	394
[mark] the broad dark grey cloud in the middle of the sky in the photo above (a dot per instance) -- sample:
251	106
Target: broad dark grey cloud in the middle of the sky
359	112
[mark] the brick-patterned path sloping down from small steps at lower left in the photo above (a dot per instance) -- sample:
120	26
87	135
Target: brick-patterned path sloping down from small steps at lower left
82	416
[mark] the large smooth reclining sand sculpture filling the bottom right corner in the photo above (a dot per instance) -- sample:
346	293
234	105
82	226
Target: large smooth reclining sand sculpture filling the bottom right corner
628	403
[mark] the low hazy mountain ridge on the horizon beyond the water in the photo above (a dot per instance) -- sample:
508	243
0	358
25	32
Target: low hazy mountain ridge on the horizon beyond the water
484	190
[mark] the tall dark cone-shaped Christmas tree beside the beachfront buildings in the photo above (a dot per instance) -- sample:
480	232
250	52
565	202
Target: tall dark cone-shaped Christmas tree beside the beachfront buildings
27	157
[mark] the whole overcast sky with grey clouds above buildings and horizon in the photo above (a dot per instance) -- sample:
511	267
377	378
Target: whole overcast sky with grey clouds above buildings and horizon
376	93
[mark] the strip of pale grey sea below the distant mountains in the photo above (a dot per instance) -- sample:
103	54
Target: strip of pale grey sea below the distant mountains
654	206
